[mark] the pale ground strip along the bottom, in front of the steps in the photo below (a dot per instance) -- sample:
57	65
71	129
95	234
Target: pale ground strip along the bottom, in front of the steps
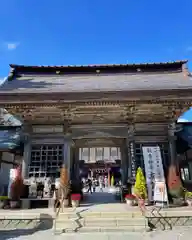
177	234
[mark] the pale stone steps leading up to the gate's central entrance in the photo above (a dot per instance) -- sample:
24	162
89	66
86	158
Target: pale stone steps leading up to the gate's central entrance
87	221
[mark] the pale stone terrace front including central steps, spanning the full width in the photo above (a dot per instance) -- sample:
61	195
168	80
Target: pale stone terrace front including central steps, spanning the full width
97	218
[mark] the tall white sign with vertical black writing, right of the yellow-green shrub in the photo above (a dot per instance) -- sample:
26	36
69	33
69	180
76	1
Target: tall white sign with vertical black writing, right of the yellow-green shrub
154	172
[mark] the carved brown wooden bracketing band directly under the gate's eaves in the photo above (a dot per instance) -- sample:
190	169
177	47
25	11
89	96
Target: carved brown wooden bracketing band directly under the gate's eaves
101	112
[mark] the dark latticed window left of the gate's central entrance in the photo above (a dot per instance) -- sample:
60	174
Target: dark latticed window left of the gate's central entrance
46	160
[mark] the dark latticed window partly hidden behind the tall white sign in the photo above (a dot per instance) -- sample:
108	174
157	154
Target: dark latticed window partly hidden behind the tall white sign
139	154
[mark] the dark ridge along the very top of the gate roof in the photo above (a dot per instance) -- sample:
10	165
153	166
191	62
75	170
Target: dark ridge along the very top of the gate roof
103	68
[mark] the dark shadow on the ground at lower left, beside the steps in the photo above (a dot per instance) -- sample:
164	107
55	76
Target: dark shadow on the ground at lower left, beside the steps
46	223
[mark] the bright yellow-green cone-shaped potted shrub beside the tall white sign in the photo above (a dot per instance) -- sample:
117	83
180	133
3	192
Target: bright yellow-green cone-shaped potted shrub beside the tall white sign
140	189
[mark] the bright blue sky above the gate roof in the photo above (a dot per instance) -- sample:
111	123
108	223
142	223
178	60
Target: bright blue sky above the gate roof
63	32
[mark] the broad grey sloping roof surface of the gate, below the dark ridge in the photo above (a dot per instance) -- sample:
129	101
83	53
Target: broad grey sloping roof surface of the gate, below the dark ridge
97	83
